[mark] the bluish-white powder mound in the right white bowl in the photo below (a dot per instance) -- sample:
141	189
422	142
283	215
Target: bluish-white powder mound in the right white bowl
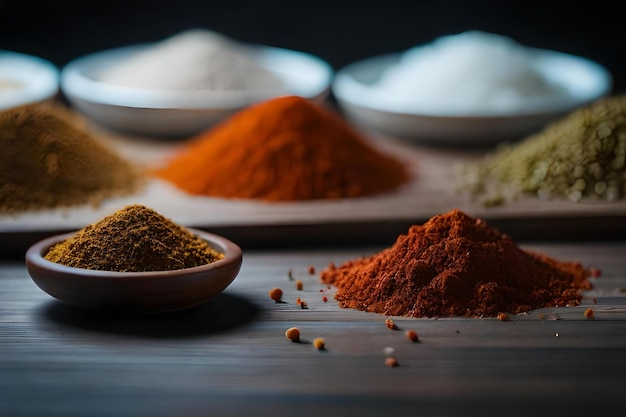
468	74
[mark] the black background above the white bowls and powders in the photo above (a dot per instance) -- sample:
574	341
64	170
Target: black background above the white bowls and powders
339	32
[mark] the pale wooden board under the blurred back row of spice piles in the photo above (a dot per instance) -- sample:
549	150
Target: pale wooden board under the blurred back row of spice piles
369	219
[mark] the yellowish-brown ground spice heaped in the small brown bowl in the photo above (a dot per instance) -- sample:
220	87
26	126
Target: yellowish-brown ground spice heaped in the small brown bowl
133	239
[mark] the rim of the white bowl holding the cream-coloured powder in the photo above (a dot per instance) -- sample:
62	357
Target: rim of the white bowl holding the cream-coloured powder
77	85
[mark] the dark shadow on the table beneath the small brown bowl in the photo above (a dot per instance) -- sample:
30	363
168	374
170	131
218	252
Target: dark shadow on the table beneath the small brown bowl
220	313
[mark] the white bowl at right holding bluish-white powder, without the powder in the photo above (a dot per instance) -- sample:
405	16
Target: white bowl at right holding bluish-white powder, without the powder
370	108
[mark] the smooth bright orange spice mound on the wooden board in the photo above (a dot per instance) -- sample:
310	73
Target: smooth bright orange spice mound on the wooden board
283	149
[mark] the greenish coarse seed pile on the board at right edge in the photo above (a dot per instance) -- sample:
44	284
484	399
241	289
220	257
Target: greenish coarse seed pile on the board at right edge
580	157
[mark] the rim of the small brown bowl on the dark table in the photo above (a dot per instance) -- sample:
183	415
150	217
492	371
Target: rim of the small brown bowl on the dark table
232	254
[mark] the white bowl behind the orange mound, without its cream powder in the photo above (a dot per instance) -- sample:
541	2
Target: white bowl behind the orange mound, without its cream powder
176	112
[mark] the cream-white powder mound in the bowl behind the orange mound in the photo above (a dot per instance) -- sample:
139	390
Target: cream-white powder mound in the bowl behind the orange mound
196	59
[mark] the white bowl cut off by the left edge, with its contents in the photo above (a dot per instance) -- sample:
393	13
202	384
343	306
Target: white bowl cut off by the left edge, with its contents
26	79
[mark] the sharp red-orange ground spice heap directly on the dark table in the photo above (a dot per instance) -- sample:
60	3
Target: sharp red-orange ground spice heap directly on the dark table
456	265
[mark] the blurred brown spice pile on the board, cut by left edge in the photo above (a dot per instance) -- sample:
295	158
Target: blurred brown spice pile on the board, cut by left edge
48	162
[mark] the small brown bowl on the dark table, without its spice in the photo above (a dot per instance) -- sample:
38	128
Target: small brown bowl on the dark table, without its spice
134	292
